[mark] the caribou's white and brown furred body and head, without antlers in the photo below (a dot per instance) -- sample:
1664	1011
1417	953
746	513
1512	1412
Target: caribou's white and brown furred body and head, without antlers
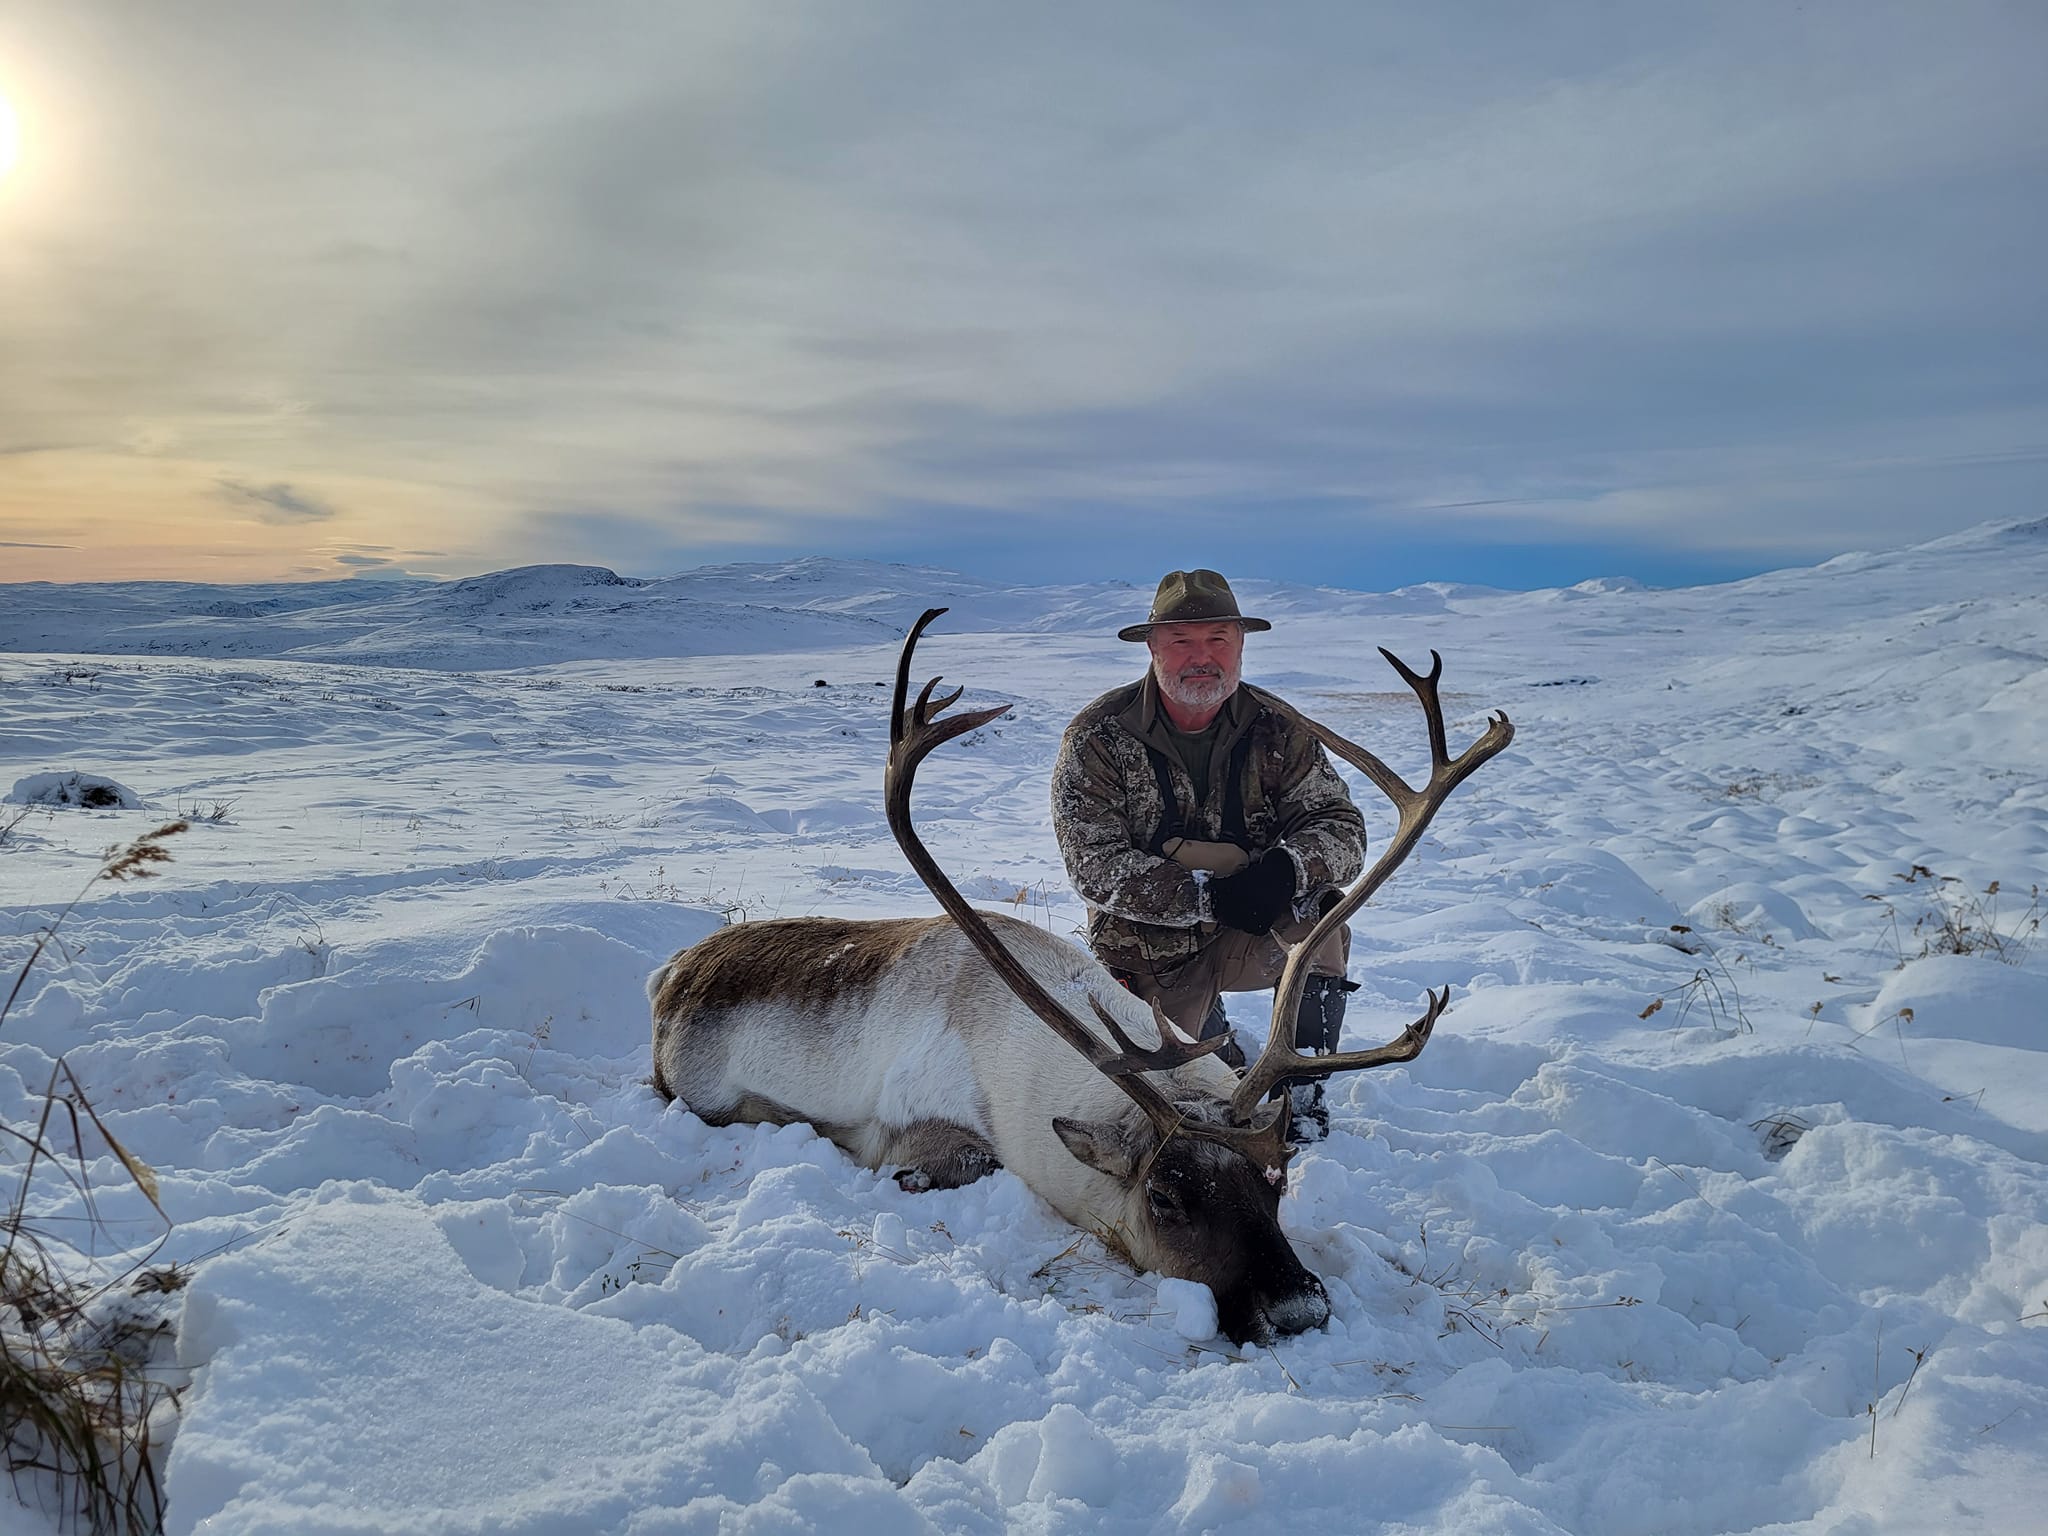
902	1046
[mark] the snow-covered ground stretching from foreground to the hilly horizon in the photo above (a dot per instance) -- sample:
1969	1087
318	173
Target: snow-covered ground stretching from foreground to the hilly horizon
1766	1258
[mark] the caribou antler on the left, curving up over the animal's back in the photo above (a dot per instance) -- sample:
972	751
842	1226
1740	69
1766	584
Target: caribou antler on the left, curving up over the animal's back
912	736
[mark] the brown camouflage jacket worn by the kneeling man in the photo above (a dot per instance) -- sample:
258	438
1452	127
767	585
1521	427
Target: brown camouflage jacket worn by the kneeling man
1109	816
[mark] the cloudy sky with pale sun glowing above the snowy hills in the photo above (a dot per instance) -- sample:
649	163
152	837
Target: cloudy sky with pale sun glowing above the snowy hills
1340	294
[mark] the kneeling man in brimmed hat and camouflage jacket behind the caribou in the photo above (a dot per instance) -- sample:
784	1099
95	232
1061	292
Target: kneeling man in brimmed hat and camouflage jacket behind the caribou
1205	828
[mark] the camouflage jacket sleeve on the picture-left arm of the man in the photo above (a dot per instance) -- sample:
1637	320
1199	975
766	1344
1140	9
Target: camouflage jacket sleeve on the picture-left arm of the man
1105	857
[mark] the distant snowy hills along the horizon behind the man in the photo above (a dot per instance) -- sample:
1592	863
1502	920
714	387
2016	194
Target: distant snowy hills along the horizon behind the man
538	615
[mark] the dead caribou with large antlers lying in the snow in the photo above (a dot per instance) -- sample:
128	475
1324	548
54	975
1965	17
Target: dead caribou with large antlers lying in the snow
955	1046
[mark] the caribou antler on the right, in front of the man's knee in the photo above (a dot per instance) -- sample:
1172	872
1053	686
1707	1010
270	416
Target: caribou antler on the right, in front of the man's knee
1416	808
